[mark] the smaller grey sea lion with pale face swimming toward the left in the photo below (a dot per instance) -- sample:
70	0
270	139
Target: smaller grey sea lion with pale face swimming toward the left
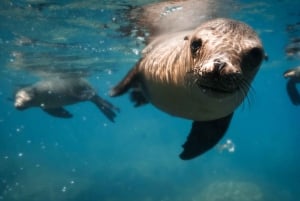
52	94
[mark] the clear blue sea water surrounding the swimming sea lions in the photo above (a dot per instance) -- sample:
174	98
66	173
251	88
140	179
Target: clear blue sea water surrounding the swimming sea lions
88	158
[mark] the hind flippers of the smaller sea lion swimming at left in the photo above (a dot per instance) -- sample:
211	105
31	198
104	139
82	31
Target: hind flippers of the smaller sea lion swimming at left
105	107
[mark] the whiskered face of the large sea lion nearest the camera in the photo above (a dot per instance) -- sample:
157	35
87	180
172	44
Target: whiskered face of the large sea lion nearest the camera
226	55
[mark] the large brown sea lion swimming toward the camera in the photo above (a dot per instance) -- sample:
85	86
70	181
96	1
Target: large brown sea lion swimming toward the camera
203	75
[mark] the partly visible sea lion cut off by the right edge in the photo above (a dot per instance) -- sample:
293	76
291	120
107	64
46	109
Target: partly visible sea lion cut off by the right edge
294	78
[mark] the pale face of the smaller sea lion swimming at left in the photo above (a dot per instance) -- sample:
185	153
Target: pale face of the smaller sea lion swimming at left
23	99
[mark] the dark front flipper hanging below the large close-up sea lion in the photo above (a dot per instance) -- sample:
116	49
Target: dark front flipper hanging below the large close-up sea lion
203	136
